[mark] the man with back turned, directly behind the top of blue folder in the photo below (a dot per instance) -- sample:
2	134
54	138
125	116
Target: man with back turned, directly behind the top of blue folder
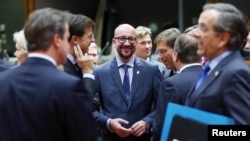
175	88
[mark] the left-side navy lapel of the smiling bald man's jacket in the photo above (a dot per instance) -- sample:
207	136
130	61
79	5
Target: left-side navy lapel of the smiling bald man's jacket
114	70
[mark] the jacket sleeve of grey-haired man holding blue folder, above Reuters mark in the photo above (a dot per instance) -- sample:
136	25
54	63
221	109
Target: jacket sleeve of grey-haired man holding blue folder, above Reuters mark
237	97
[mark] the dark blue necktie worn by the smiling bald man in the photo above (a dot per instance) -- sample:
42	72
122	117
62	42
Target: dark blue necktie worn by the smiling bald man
126	84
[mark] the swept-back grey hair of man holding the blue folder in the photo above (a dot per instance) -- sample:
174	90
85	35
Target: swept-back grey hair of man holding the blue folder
230	20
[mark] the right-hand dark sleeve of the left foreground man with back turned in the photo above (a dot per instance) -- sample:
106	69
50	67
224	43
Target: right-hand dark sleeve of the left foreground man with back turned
79	119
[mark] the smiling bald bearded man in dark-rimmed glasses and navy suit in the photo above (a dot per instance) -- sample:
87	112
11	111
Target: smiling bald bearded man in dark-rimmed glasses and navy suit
126	117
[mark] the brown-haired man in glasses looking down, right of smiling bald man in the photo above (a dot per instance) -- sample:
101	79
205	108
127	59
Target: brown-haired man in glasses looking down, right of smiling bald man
164	48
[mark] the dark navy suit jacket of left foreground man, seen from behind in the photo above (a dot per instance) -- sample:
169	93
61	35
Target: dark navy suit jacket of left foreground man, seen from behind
41	103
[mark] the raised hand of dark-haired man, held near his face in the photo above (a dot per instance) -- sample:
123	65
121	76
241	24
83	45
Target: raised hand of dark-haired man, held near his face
85	62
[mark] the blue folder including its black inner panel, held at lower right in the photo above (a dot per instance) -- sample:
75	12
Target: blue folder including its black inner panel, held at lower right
186	115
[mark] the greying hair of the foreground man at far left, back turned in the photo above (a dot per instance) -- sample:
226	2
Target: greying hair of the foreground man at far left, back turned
42	25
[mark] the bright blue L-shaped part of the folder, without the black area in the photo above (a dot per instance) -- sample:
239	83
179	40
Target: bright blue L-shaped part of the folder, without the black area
195	114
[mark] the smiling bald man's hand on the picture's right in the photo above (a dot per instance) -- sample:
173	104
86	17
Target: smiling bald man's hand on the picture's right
139	128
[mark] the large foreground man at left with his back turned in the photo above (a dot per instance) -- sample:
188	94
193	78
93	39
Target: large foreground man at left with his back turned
39	102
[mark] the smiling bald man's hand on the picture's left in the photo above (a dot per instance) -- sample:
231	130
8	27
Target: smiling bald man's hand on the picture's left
116	126
